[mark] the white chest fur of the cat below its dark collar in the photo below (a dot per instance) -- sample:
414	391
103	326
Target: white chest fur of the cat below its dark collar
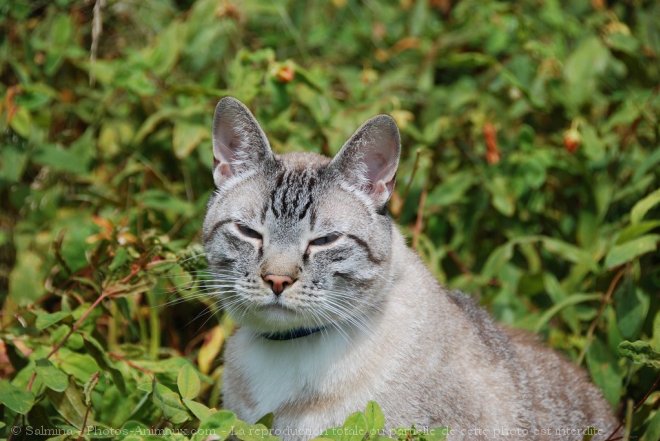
276	375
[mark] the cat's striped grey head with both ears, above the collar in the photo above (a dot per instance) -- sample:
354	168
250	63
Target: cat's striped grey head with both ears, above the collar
299	240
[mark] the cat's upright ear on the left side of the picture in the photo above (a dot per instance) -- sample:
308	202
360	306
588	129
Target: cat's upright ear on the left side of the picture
239	144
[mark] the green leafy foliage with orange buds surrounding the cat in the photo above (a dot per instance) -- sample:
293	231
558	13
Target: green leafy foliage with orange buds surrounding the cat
529	178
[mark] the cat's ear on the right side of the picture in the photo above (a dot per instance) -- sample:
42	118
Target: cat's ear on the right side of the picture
369	159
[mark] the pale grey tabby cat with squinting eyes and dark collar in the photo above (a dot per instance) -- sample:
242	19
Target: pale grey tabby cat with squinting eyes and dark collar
334	310
